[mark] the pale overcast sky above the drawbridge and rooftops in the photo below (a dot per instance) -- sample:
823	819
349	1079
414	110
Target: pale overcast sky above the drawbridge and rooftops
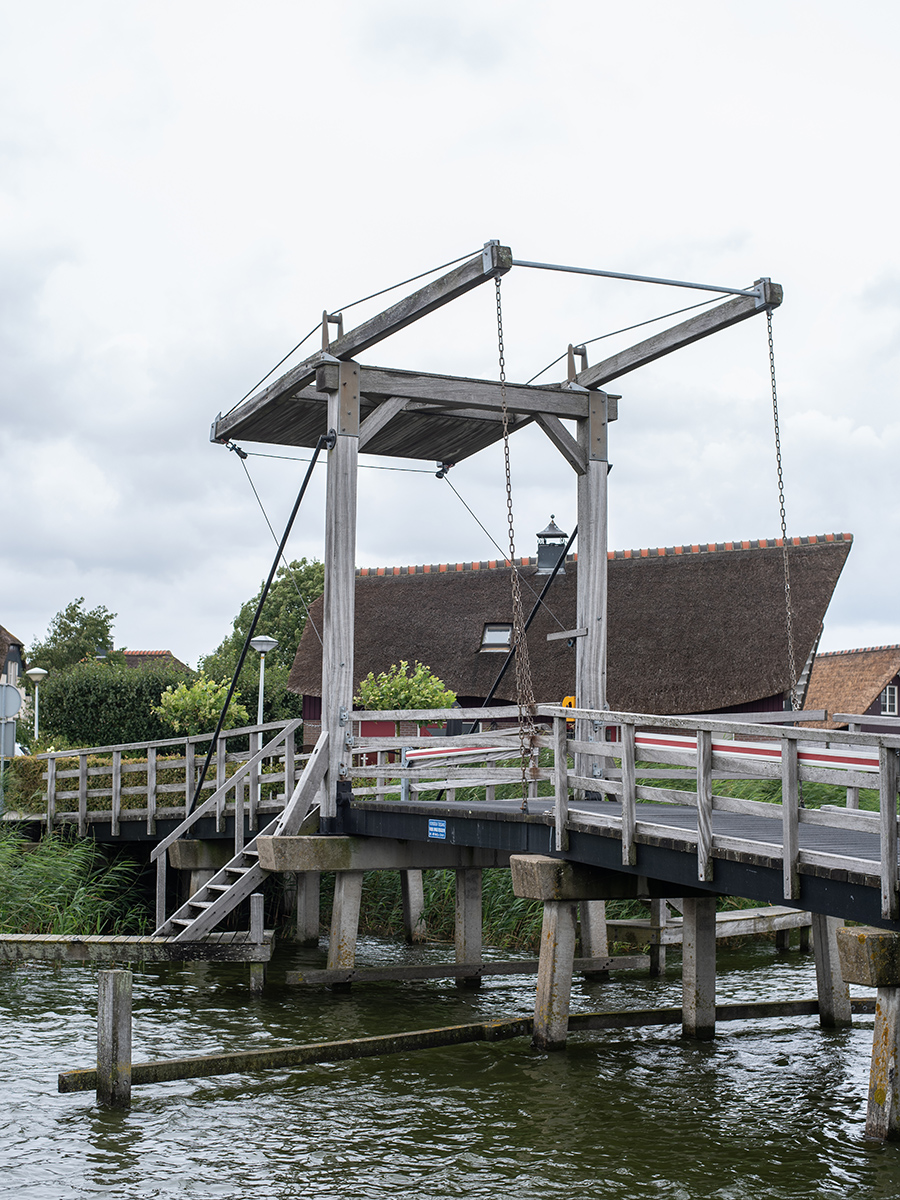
187	185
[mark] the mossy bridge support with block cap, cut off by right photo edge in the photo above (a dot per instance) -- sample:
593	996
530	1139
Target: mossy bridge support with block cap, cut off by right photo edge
872	958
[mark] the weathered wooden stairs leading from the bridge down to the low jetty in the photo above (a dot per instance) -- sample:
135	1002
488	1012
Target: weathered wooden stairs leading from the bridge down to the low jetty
243	875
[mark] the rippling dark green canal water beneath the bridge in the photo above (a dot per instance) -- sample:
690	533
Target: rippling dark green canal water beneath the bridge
771	1109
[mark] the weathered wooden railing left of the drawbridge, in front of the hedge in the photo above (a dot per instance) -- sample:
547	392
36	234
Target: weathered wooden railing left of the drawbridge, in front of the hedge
147	781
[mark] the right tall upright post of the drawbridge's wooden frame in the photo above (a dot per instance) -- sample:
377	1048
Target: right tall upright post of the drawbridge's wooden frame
591	602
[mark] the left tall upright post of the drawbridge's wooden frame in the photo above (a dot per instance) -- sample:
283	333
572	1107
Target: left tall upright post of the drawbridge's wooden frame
338	680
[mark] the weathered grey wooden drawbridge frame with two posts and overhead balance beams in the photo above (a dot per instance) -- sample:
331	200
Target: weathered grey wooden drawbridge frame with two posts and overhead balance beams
446	419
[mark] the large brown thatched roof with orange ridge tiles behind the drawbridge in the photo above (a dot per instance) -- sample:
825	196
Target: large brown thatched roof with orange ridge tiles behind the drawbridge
692	628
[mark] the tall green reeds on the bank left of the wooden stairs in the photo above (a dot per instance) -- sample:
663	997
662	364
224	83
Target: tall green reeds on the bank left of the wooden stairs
63	886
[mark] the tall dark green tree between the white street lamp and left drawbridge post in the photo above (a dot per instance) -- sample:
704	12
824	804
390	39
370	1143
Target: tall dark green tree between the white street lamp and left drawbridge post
284	617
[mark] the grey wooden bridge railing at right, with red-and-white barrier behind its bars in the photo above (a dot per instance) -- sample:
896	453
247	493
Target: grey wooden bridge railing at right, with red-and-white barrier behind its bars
704	746
